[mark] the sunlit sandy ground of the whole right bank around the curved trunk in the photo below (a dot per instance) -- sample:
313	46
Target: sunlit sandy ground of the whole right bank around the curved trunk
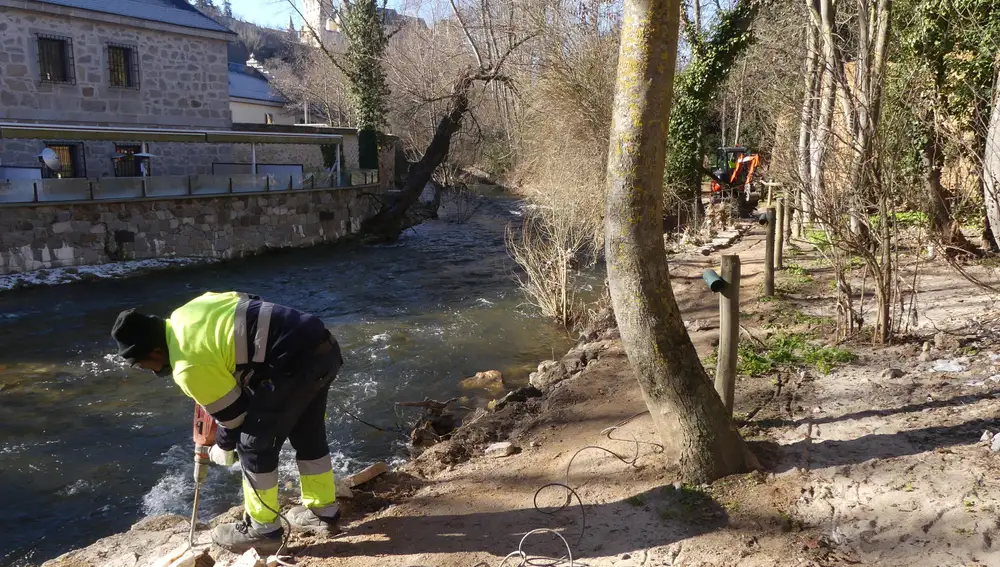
865	467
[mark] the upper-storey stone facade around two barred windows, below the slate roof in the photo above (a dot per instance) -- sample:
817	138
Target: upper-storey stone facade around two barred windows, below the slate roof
184	78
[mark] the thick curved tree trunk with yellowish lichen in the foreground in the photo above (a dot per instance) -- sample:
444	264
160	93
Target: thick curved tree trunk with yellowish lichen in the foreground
688	414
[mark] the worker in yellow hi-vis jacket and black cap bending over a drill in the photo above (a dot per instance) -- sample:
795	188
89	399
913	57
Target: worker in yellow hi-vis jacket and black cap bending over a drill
263	371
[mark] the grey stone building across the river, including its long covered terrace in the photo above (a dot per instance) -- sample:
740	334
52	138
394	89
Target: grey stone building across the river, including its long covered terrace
111	86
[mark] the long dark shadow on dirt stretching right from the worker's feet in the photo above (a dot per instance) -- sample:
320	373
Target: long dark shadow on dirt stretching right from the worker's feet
657	517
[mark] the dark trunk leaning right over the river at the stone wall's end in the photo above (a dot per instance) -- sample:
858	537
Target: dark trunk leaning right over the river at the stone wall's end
387	224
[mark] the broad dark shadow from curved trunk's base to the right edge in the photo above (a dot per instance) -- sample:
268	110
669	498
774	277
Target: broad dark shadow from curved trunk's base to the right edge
781	458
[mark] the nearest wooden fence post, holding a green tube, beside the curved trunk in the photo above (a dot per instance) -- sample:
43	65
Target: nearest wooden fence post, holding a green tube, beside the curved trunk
729	331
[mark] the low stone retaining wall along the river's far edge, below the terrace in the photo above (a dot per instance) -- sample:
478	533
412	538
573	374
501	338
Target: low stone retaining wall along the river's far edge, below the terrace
39	237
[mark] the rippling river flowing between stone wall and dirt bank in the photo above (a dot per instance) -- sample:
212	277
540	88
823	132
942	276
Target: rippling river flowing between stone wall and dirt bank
88	446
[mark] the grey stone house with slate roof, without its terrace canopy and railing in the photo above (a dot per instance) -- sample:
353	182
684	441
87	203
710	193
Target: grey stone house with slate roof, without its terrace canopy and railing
149	63
